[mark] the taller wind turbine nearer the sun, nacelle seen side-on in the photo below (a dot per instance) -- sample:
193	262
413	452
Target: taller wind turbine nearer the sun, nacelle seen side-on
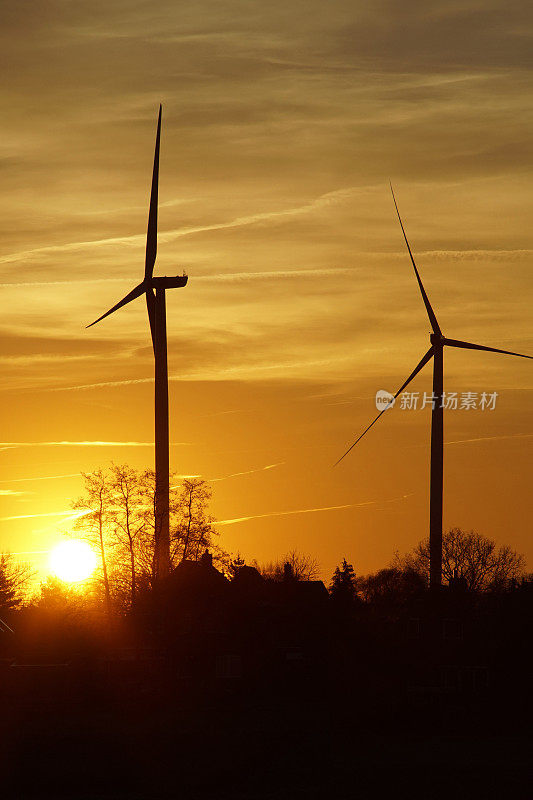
155	302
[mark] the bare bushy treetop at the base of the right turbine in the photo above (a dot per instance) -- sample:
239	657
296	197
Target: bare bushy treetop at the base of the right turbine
474	558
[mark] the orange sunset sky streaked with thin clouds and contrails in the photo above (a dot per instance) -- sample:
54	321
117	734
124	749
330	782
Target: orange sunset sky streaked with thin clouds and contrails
282	124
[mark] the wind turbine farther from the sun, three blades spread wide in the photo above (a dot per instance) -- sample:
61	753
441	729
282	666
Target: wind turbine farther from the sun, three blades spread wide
435	352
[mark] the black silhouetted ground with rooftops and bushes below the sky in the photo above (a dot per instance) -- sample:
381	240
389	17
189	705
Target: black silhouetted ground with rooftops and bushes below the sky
251	690
